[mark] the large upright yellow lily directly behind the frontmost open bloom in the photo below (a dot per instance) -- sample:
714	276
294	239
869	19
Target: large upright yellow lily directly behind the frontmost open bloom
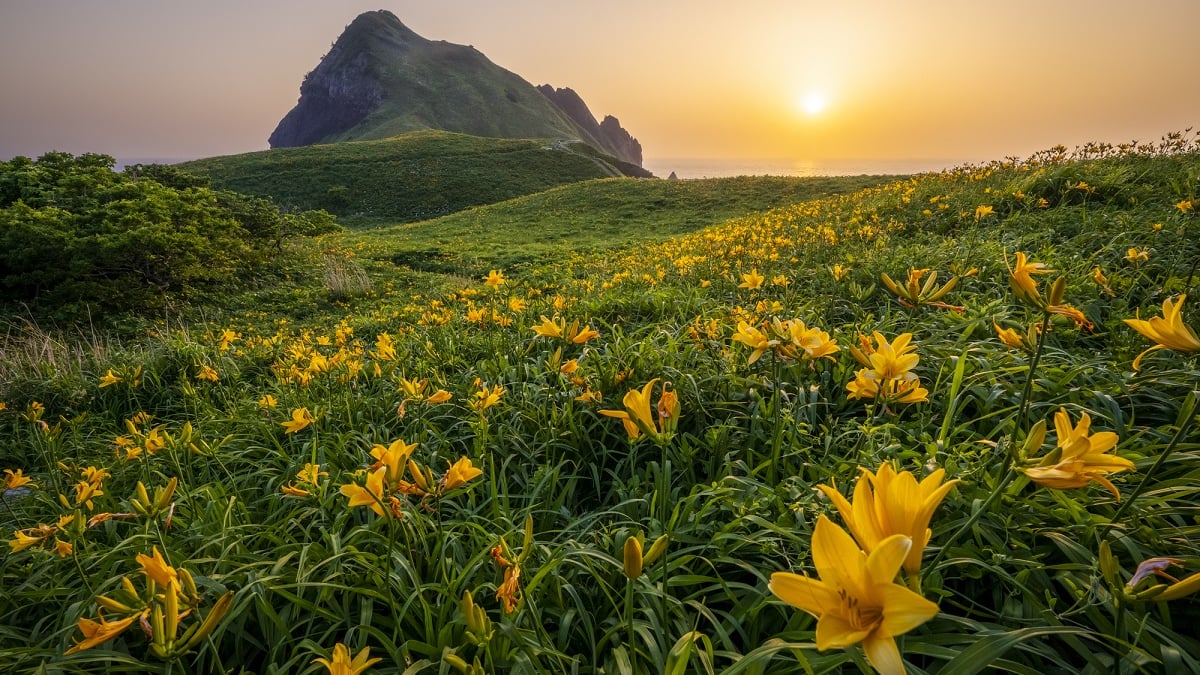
890	504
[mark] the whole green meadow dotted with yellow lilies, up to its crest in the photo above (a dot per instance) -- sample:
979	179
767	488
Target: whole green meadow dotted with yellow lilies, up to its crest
645	378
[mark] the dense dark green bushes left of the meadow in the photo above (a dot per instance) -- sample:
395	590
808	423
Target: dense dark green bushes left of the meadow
79	240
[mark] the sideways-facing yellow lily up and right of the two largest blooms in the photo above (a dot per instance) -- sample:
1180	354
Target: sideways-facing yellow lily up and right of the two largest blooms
1079	459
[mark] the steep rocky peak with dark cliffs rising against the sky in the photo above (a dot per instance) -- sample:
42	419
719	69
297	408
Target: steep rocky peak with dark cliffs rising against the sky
381	80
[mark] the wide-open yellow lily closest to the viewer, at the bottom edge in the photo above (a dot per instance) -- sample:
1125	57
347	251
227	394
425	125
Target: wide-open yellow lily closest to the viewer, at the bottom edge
856	599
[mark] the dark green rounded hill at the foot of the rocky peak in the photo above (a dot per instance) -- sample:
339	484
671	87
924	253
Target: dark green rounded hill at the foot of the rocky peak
412	177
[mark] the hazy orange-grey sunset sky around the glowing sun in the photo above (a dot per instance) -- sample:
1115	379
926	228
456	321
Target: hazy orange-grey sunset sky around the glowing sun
961	80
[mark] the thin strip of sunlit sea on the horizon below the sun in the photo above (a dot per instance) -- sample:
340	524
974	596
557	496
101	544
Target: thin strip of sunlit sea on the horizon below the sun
693	168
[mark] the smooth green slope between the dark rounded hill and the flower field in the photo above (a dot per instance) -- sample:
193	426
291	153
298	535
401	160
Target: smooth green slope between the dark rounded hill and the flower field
589	217
